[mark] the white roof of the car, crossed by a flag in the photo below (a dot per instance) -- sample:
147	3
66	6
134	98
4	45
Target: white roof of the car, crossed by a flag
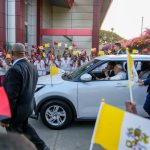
123	57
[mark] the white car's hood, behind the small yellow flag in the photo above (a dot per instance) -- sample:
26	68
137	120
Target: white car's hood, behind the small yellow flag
56	79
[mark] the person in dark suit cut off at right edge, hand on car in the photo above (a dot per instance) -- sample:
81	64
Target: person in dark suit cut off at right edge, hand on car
147	102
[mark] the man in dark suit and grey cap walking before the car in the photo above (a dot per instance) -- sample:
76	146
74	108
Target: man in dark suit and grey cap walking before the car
20	83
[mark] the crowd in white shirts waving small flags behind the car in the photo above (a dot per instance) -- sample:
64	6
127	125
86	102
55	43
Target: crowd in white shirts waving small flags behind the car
43	59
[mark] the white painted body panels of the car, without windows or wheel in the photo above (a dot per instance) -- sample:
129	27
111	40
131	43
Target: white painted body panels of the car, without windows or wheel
86	96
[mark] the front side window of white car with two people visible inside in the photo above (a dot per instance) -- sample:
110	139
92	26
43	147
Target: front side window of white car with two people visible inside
110	70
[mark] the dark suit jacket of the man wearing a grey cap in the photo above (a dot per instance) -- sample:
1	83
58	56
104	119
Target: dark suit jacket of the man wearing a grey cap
20	83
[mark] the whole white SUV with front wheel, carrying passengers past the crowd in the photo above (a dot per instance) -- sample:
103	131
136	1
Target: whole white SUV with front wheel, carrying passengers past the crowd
77	95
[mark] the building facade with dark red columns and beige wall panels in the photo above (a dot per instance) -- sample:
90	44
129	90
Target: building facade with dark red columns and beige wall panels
33	21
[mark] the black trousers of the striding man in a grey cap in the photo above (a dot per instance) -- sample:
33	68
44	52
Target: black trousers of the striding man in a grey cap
26	129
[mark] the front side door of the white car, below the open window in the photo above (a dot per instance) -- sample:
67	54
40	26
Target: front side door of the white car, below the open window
91	93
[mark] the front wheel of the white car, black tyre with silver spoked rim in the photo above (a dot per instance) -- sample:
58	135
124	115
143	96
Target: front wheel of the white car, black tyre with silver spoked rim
56	114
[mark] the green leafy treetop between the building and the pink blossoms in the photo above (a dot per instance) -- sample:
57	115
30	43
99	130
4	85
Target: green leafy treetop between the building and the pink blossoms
108	37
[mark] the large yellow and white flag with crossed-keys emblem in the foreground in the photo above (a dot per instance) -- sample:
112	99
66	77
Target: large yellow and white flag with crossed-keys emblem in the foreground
120	130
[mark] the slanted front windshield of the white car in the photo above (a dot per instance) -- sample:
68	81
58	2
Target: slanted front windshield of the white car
81	69
